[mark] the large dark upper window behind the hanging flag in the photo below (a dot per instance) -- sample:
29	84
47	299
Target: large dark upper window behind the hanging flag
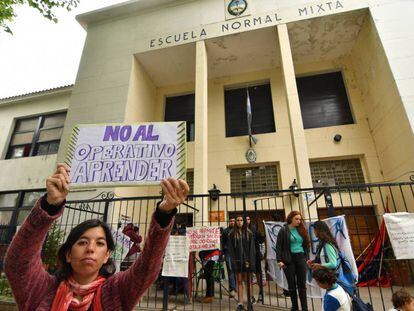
236	110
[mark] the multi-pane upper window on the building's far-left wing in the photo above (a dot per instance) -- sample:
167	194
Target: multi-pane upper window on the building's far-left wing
38	135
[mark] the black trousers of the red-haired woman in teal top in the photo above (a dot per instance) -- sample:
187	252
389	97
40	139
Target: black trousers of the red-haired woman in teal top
295	273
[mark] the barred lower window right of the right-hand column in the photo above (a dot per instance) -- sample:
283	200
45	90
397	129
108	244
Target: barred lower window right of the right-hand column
337	172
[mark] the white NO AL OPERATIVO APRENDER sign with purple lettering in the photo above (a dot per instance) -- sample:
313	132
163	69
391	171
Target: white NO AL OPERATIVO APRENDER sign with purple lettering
103	155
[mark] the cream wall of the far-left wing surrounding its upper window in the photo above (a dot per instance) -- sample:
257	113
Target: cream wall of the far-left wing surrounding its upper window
27	173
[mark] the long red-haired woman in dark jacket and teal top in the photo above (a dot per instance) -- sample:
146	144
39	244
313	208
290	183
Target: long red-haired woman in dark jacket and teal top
292	252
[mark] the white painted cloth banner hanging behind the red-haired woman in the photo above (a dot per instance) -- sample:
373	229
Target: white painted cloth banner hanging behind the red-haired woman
339	230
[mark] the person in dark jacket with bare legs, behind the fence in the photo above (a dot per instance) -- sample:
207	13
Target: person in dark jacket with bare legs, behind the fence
241	246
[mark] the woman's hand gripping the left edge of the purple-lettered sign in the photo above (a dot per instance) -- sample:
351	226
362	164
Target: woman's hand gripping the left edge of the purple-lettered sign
57	185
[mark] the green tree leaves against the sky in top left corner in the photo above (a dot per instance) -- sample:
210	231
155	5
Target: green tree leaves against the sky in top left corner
45	8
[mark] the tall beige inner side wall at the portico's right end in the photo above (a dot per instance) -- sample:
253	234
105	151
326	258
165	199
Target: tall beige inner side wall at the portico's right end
386	116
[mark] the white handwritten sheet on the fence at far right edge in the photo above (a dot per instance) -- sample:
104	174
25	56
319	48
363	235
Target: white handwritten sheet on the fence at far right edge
400	227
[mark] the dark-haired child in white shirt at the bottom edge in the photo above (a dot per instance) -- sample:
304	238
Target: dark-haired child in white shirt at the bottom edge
335	299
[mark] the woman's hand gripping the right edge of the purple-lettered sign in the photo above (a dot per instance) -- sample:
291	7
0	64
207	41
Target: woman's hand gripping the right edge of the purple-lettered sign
175	192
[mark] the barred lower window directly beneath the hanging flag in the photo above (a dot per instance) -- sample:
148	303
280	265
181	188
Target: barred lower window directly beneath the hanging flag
257	178
